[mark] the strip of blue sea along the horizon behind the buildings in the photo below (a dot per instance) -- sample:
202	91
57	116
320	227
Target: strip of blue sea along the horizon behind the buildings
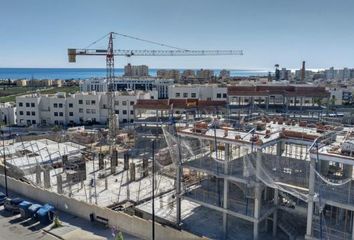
86	73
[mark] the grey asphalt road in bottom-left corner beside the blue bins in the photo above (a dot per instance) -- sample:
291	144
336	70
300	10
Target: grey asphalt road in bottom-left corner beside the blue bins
13	228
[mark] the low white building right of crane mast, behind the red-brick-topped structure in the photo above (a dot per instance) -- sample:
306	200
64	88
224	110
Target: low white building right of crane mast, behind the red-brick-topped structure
197	91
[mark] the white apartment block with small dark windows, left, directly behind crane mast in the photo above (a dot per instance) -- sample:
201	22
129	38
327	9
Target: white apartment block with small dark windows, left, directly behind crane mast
78	108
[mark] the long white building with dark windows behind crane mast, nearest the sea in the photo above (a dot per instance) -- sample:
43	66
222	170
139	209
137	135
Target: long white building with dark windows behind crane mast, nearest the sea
129	83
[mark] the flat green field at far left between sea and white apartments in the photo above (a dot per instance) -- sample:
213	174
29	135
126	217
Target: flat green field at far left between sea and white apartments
9	94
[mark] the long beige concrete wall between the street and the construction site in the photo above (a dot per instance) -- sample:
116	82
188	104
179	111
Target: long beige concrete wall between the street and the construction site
131	224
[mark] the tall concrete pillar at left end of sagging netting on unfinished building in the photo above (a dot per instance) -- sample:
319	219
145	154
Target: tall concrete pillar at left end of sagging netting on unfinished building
258	195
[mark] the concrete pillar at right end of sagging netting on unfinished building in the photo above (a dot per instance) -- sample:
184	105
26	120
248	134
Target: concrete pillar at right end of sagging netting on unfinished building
310	204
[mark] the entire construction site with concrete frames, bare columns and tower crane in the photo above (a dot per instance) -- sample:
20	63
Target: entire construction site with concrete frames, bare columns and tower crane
192	165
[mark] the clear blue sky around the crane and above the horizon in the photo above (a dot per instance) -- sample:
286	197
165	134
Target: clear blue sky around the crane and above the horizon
37	33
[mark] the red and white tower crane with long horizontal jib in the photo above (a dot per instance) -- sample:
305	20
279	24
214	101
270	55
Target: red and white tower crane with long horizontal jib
110	52
